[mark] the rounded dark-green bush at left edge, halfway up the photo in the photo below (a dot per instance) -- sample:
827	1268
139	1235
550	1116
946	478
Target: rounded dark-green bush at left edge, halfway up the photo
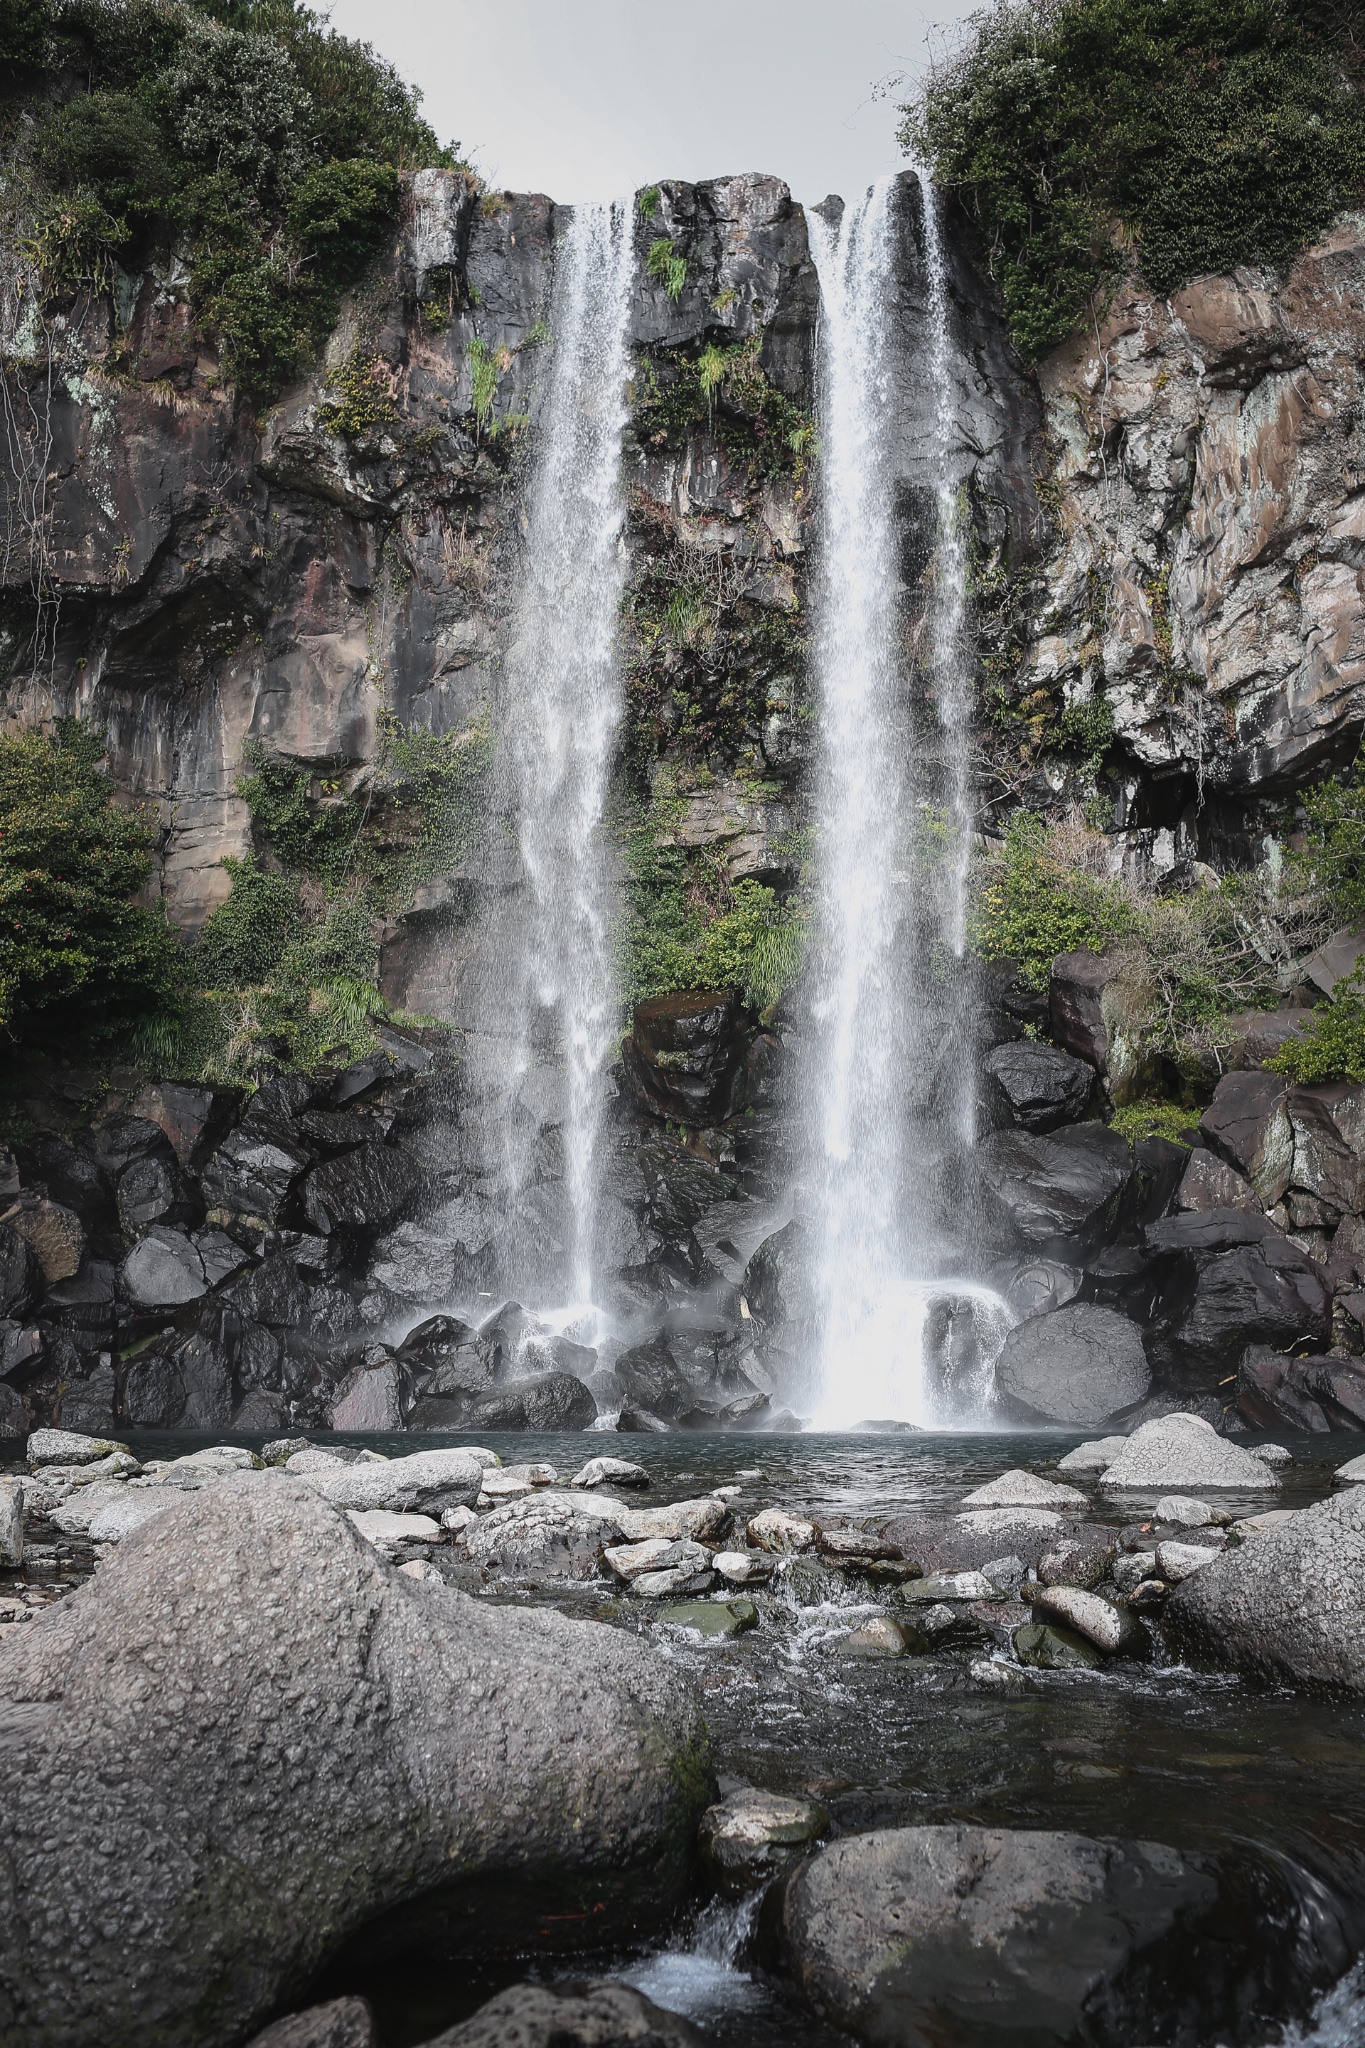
77	953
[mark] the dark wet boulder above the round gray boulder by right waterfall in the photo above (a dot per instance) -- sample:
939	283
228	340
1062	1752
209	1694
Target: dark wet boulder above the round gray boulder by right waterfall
1059	1195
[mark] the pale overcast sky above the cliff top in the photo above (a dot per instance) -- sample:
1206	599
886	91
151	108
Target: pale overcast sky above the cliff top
590	99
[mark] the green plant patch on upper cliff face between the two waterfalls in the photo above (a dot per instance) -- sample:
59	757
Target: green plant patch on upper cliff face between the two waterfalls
725	390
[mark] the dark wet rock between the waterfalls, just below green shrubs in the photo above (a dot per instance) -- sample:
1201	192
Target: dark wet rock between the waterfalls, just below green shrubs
687	1056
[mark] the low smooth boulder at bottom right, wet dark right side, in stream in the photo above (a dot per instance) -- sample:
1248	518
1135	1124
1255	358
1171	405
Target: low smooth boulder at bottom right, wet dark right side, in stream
889	1932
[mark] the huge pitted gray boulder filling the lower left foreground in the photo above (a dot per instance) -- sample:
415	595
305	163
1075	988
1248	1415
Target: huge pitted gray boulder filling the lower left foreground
251	1738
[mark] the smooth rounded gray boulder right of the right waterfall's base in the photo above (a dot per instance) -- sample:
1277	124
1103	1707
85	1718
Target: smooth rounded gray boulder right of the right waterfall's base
1077	1365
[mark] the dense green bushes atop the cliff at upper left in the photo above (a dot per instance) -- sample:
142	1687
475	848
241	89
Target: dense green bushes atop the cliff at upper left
249	130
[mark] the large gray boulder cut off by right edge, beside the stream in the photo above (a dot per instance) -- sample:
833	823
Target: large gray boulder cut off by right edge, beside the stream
1288	1603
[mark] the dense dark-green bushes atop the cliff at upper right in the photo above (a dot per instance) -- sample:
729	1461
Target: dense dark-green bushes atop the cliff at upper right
1188	134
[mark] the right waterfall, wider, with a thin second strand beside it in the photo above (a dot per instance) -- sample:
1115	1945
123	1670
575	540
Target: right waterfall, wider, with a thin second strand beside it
891	1062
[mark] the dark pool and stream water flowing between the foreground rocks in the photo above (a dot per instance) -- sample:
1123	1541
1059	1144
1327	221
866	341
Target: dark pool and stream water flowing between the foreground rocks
1190	1758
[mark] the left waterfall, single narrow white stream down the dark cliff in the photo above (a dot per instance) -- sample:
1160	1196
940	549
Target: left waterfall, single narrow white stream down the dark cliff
560	716
